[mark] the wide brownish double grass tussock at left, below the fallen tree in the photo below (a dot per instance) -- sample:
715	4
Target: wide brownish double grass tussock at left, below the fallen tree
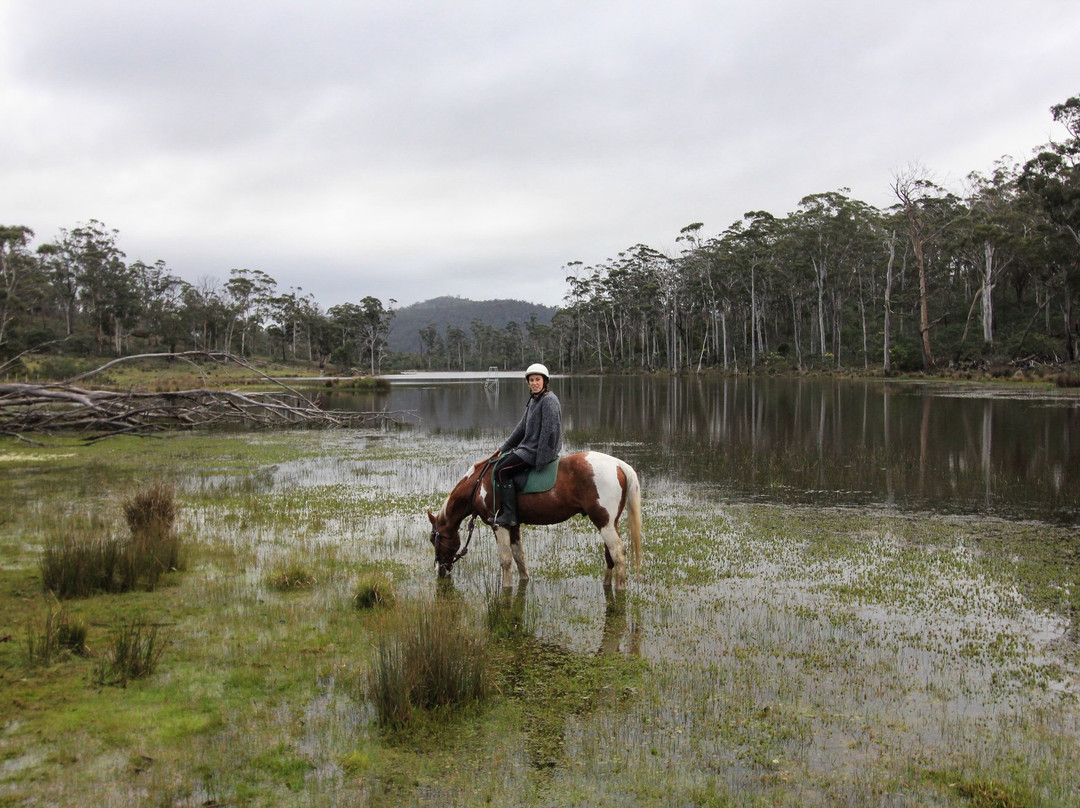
84	558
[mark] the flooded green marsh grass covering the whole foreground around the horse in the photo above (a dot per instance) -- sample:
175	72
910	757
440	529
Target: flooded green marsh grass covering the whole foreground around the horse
765	655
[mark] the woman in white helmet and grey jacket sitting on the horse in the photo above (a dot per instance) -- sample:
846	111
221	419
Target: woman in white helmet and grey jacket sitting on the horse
536	441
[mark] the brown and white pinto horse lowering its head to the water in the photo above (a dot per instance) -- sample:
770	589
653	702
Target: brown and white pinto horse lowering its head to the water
592	483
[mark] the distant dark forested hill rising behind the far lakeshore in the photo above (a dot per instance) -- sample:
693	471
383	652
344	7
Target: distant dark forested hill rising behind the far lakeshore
444	312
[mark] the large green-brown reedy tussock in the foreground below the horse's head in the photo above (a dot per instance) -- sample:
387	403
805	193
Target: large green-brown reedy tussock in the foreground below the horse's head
434	662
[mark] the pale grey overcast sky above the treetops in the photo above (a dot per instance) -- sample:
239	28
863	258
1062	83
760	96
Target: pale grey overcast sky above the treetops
474	149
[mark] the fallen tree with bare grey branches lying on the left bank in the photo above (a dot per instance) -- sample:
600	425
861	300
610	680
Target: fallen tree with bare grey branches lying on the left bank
66	407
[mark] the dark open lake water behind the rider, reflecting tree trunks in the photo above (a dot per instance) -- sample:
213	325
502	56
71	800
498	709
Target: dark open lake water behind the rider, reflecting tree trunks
997	451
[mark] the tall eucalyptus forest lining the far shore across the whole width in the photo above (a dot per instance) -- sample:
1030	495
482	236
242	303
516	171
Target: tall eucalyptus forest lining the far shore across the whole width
939	279
